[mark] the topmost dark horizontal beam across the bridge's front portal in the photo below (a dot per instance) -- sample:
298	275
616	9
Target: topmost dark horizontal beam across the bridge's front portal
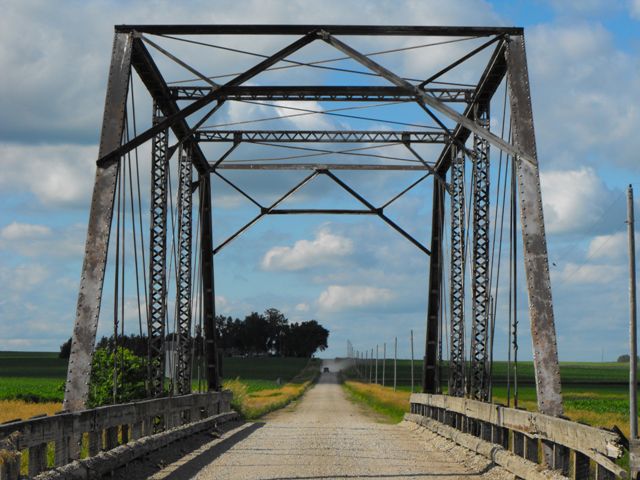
390	30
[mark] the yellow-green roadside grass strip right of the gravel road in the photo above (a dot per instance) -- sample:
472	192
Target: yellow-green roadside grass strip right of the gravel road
392	405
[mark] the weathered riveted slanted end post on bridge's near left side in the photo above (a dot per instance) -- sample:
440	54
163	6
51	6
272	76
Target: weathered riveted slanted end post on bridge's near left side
99	228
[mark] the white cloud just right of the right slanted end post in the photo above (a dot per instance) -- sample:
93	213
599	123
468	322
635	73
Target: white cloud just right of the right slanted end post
573	200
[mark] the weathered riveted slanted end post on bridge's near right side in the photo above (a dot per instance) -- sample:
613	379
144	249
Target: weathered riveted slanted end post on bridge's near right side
543	330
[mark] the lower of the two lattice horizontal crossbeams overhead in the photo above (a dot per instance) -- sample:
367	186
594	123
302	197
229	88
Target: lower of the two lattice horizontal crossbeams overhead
320	136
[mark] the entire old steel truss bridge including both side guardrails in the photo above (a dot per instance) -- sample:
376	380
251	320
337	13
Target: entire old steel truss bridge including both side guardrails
179	138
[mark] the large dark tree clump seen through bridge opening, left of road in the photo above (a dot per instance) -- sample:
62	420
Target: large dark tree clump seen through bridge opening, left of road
270	333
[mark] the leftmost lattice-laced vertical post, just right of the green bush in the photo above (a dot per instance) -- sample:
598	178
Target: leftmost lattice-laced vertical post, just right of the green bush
158	259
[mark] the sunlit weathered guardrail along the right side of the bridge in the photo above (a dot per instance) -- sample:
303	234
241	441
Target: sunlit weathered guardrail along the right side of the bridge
571	447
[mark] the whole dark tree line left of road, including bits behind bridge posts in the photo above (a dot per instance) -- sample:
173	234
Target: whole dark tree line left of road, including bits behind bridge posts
269	333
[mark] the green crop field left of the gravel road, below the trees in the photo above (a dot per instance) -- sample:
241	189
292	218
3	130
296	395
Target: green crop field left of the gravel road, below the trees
39	376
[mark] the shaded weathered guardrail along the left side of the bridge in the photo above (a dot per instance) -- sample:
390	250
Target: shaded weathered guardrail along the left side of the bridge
105	428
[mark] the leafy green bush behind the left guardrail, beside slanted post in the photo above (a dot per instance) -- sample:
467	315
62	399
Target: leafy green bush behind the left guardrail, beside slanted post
130	377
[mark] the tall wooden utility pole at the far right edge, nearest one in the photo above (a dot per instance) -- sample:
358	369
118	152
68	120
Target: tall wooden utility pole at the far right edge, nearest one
633	341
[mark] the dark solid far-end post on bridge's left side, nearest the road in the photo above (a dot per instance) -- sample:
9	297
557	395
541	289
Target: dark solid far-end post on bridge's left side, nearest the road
208	284
